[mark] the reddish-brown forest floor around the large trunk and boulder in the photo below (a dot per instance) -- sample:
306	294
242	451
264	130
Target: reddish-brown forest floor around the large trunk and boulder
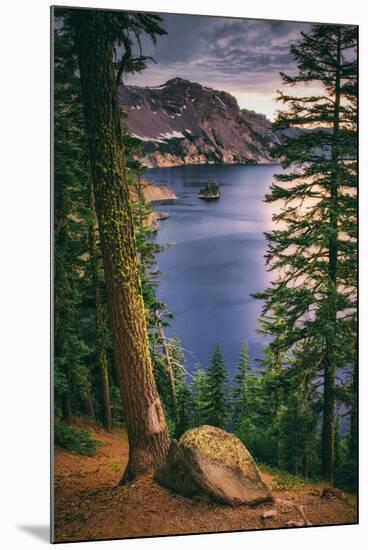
90	505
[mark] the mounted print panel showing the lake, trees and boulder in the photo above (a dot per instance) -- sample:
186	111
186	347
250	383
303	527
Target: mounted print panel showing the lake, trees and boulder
205	274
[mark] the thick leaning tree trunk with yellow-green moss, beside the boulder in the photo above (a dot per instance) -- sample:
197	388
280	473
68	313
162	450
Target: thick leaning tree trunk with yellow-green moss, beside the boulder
146	425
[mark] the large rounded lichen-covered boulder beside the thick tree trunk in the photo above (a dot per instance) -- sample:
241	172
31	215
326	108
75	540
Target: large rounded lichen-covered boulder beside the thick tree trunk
210	461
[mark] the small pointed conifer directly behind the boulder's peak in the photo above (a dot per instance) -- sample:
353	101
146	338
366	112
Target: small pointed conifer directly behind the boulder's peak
217	412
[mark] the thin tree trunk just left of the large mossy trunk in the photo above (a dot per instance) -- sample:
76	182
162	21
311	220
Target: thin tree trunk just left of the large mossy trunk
99	322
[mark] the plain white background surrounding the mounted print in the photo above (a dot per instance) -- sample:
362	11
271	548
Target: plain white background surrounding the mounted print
24	288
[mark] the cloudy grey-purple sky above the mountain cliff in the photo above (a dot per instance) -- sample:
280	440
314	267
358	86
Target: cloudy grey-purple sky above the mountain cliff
241	56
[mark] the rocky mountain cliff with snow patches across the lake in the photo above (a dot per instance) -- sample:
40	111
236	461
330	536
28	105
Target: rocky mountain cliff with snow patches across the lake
181	122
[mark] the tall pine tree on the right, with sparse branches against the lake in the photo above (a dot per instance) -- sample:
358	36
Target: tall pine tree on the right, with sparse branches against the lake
314	252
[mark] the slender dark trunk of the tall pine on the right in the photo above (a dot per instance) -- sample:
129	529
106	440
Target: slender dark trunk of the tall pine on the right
330	353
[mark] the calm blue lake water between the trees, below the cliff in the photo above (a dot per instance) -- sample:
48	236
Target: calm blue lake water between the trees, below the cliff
218	257
